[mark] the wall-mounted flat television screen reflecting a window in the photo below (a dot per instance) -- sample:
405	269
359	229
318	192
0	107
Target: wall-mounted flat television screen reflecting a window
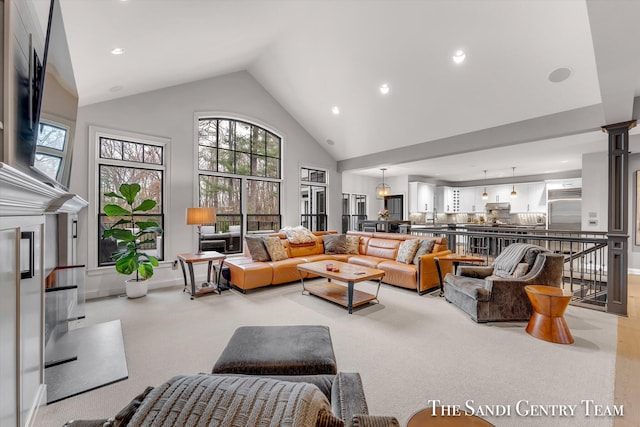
54	106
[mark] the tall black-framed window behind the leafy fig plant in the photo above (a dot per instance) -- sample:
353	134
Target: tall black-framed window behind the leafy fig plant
121	161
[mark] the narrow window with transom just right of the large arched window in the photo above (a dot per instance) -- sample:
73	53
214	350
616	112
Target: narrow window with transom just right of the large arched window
313	199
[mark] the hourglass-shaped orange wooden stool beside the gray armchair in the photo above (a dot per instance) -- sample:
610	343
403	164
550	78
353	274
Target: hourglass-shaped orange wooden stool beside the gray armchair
547	321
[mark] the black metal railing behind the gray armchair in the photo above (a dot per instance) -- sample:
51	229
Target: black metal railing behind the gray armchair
585	270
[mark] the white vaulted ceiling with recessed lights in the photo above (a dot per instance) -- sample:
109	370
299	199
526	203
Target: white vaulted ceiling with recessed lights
498	106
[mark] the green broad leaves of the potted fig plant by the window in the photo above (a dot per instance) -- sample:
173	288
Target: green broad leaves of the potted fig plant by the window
128	257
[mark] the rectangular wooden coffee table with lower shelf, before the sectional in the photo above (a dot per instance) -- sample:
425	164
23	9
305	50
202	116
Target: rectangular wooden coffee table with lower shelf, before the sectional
350	274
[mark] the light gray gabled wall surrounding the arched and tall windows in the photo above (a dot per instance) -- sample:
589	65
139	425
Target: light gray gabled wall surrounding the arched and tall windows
170	113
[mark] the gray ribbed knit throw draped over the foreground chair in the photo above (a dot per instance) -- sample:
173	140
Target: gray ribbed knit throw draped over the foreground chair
211	400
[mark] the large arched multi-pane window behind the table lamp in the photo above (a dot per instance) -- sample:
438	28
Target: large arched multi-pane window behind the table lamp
239	166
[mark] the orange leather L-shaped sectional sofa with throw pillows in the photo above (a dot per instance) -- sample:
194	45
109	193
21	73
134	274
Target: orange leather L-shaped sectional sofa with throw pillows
376	250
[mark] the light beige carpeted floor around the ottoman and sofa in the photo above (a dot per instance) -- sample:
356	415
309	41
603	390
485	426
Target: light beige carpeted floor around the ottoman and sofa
410	350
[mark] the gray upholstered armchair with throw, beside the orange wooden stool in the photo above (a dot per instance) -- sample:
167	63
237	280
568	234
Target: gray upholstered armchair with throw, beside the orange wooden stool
496	293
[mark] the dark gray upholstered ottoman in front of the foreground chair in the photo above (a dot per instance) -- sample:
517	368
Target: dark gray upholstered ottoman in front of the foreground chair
278	350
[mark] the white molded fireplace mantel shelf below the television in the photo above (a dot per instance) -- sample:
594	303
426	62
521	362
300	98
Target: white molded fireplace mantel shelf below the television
21	194
